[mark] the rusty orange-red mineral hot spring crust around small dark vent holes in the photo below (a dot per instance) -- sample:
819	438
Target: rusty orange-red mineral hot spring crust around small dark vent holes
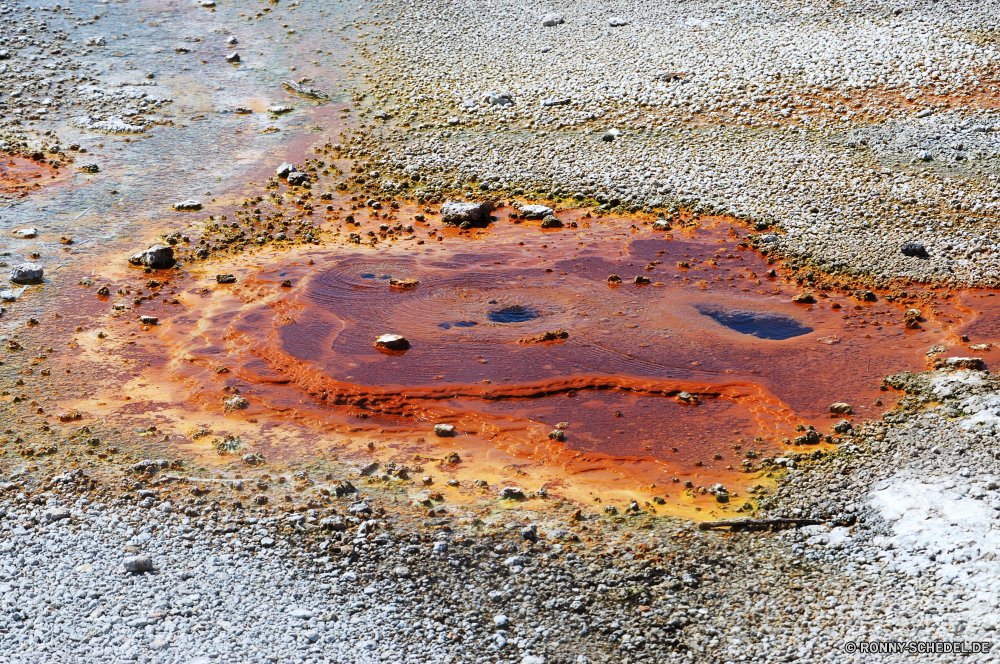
697	365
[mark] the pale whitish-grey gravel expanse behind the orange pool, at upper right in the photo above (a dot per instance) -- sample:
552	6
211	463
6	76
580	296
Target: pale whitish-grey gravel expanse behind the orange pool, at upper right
854	130
